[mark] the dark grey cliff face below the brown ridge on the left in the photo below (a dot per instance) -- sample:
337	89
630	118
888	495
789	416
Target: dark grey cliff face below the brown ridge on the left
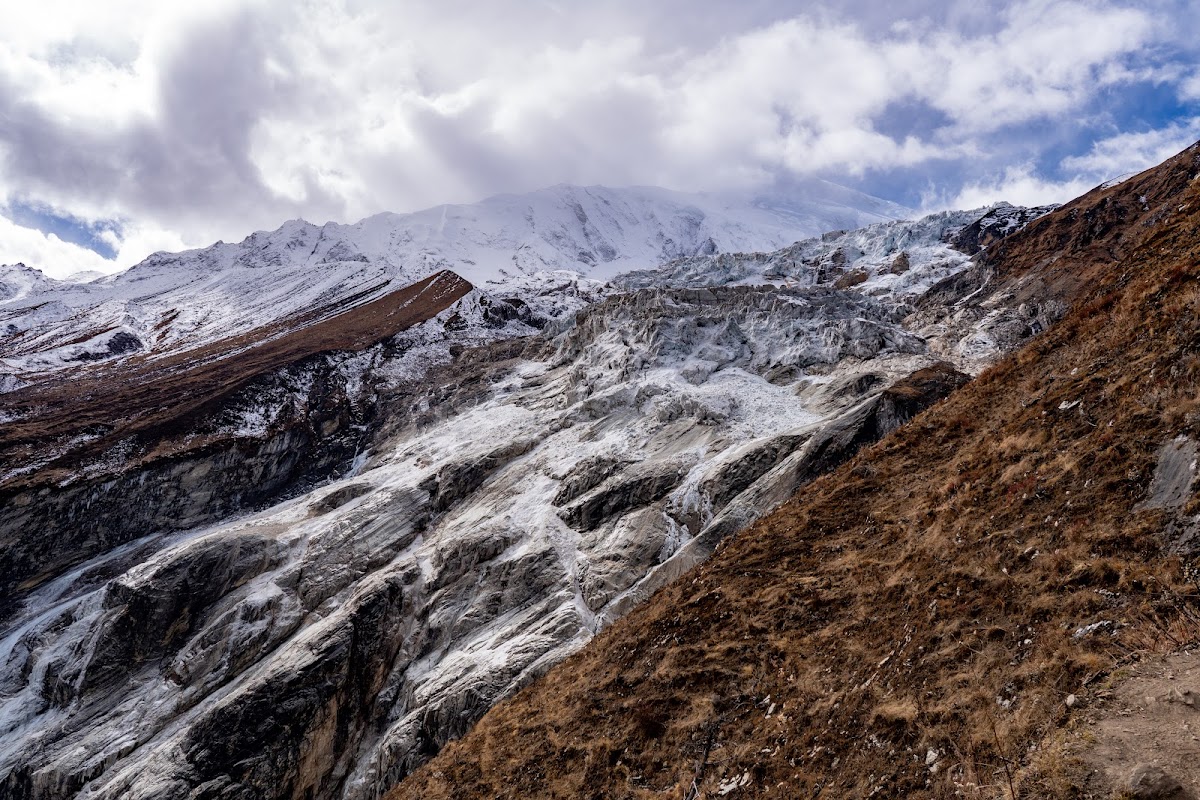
95	515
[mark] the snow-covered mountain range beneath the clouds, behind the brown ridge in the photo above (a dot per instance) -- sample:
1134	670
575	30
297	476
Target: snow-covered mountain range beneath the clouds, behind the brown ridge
551	249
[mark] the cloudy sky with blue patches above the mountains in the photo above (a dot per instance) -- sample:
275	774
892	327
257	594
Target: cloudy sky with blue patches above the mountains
131	127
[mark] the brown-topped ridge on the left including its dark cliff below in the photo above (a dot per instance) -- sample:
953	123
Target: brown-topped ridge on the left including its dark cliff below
196	440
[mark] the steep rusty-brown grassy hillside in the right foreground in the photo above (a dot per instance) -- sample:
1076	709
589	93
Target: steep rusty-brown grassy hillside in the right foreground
937	617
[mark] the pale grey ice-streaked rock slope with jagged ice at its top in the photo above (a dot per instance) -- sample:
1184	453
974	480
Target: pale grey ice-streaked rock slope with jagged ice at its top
335	641
